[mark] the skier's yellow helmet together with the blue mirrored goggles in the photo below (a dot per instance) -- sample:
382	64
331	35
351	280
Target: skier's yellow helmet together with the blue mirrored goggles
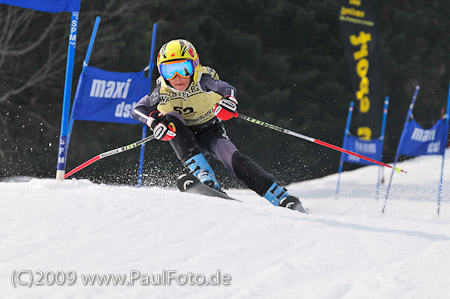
178	57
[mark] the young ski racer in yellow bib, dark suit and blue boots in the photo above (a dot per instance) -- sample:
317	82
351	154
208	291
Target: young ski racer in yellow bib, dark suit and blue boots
187	108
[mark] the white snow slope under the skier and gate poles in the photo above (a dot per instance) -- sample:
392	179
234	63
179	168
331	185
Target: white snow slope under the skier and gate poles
344	249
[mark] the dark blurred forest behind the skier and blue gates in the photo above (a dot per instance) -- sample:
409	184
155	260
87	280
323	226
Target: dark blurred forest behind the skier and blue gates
285	58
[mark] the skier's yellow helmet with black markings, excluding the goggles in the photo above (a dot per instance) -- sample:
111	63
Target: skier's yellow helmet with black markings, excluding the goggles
178	50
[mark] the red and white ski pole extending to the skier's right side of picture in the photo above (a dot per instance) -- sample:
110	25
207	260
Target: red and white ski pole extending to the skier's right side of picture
337	148
